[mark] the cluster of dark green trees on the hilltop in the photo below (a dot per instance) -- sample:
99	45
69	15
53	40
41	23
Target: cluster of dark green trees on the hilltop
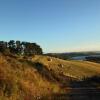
18	47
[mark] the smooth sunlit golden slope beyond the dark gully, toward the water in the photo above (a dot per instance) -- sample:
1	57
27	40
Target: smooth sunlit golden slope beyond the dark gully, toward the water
75	69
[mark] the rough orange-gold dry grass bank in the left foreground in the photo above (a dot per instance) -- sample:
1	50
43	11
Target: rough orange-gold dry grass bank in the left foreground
20	80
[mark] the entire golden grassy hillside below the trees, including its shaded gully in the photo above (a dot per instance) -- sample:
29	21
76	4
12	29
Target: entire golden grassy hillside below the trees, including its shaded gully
31	78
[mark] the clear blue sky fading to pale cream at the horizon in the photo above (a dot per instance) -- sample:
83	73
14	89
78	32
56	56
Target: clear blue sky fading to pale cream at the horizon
56	25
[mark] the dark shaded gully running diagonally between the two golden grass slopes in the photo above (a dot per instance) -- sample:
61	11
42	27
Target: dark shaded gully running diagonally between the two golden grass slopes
50	75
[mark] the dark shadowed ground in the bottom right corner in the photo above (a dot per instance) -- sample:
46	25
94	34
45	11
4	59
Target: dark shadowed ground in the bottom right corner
86	89
